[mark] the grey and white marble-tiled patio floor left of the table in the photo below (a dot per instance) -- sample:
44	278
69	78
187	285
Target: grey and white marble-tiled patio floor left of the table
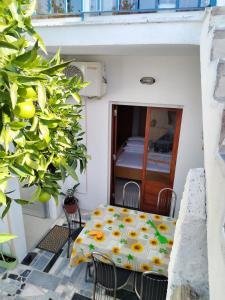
43	281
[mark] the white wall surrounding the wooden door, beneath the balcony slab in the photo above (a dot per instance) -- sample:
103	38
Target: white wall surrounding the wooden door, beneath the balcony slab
177	85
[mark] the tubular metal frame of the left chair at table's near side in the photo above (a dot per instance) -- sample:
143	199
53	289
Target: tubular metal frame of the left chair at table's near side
98	257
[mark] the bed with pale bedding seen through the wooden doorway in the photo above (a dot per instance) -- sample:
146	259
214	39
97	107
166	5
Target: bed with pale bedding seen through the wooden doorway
129	163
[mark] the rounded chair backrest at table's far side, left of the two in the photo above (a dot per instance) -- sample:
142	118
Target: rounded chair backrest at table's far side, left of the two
131	195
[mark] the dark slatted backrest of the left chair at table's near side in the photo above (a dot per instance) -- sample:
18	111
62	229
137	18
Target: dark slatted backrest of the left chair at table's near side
105	278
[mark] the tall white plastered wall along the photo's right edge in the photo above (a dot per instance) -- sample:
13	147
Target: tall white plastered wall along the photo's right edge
213	105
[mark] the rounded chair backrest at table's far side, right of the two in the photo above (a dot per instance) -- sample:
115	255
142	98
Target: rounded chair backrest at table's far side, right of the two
166	201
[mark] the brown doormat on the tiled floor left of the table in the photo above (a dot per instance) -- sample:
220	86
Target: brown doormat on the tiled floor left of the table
55	239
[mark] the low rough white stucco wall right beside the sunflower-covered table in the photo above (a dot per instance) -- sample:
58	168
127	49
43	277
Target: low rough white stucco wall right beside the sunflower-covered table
190	242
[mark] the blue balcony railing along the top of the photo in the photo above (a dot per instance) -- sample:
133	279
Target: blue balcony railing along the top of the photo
101	7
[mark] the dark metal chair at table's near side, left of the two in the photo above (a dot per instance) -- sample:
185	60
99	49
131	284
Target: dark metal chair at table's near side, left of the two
107	277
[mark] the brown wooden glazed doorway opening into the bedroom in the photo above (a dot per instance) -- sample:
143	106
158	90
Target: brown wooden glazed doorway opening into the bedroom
144	149
